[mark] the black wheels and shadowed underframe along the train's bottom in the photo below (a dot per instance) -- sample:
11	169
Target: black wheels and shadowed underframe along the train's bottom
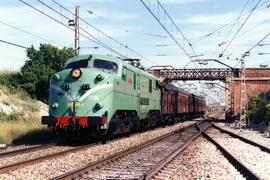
122	122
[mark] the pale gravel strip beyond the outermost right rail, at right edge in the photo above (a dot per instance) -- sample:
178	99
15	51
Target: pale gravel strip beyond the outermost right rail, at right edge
249	134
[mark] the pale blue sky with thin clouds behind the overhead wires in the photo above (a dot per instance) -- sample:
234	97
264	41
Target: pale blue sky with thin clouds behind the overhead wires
128	21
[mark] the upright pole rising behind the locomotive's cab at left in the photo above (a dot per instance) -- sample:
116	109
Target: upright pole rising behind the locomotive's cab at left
76	24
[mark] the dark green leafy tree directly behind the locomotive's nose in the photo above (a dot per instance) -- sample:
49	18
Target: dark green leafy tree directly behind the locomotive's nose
40	66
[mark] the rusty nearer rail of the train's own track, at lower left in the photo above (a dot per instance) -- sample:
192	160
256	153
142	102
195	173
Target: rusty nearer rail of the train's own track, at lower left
17	165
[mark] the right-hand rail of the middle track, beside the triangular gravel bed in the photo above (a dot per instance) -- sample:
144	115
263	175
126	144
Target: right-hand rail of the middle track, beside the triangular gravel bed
151	173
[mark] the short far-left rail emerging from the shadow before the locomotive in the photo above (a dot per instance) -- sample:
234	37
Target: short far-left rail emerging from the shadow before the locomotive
25	150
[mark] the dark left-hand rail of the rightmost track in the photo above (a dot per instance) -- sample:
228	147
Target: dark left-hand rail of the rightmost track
246	172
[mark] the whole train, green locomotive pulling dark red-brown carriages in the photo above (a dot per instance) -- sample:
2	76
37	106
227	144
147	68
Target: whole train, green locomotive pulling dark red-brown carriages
99	94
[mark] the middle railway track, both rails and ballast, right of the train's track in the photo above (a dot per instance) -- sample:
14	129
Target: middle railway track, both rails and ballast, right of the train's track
137	162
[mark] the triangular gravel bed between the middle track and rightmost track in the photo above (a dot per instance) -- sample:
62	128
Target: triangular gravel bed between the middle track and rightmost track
201	160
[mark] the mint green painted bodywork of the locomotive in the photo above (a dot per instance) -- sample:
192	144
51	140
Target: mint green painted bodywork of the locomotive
126	89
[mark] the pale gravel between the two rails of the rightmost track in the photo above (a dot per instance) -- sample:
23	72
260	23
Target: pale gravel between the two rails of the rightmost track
252	157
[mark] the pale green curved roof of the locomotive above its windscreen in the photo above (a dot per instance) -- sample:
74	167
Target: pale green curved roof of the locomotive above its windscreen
110	58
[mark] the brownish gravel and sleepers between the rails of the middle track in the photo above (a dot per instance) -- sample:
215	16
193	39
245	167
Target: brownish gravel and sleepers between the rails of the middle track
134	165
